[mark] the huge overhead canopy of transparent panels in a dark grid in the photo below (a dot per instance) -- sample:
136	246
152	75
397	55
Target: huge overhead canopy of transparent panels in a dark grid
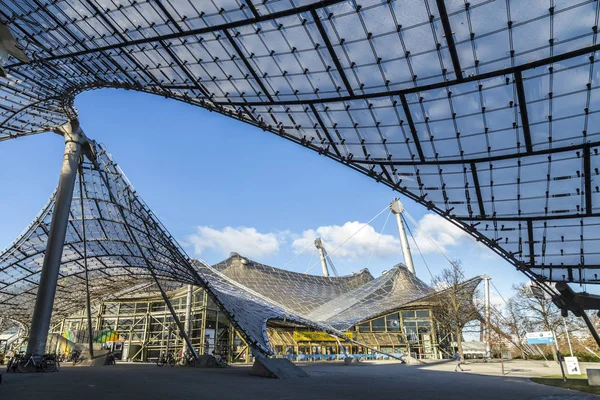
482	111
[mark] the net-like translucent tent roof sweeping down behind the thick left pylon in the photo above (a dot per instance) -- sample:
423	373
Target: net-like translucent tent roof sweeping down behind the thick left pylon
127	251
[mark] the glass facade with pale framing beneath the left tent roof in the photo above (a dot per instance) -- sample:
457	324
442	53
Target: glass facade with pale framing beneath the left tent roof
142	329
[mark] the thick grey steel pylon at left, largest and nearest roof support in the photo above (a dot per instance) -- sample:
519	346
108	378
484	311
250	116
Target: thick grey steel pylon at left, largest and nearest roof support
40	323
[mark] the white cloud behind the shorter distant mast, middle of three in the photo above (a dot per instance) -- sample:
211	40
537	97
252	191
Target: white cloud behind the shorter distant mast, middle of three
361	245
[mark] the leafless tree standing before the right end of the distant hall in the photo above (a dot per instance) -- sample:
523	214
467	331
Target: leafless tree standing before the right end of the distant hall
455	300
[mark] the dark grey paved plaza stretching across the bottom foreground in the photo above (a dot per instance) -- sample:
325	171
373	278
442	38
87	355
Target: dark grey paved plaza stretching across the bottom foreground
326	381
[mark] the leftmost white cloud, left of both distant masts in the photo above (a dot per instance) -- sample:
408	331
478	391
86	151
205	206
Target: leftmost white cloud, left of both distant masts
243	240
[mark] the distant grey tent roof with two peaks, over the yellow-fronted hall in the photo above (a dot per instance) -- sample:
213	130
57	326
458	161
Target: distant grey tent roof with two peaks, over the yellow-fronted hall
338	302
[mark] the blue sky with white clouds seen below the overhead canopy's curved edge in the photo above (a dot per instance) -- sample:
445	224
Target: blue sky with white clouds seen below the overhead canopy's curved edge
220	186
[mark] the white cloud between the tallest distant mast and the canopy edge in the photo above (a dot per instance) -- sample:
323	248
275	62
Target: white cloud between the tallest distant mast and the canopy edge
434	229
